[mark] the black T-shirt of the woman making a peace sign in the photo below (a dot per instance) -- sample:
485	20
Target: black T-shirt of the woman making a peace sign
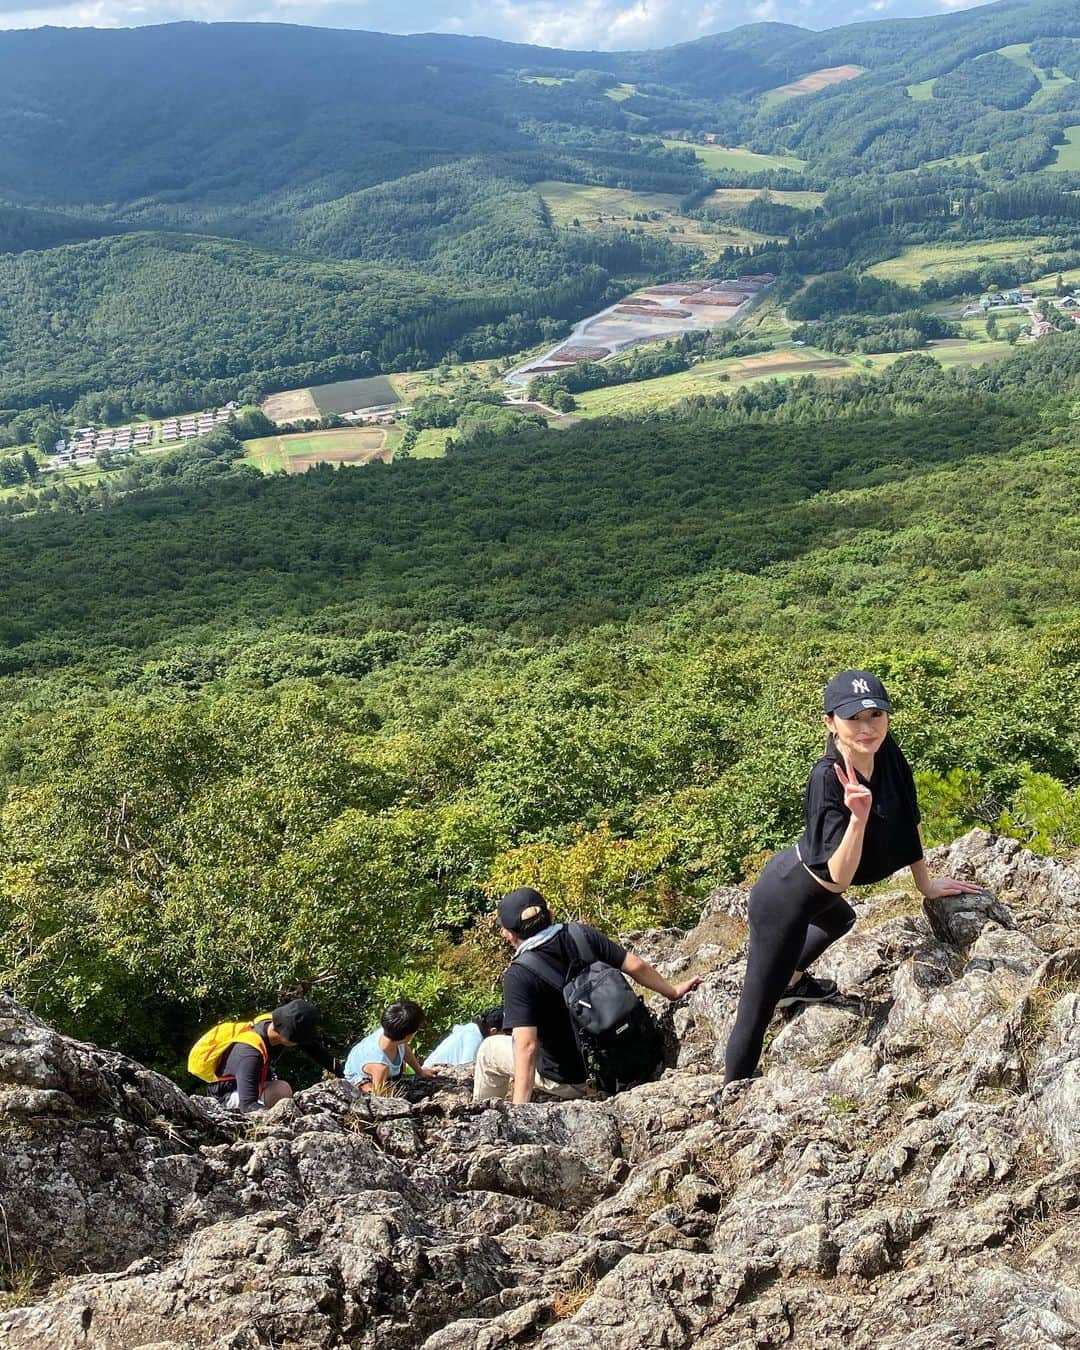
892	839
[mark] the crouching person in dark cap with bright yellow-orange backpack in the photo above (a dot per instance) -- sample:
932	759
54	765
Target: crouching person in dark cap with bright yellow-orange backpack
237	1059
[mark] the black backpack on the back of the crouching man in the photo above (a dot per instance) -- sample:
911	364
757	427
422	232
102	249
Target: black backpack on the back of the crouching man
620	1039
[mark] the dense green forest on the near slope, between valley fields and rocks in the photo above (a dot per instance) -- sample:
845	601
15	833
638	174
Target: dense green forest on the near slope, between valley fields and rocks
279	734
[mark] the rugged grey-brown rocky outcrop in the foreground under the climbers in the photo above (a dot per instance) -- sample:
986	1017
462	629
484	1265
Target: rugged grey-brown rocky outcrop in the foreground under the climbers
907	1175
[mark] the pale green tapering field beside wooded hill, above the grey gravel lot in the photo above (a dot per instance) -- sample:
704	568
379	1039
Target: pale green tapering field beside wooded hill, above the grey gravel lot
580	207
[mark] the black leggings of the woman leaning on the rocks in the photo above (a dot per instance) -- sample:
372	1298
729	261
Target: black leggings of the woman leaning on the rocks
793	921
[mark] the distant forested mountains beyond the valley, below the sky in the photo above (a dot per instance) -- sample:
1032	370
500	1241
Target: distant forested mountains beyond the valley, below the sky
416	160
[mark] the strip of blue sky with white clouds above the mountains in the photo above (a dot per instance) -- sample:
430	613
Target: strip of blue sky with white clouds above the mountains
584	25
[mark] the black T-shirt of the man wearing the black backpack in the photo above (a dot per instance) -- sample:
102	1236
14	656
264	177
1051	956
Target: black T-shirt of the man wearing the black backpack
530	1001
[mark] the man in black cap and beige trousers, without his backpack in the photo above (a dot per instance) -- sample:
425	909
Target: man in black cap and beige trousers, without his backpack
543	1051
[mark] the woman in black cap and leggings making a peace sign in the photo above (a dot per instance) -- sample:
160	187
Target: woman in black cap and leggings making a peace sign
862	827
